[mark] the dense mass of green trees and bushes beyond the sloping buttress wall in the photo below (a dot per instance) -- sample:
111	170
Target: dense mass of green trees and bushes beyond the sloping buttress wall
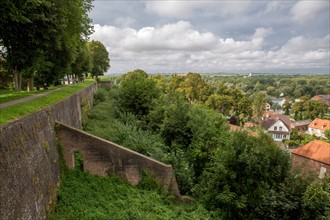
233	174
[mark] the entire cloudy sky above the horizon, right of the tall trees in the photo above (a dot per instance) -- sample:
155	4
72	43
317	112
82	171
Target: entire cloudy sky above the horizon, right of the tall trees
214	36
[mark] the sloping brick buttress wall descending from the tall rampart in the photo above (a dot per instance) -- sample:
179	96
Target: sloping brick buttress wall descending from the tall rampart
102	157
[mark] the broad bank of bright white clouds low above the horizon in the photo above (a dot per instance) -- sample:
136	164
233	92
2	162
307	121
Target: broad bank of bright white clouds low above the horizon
179	47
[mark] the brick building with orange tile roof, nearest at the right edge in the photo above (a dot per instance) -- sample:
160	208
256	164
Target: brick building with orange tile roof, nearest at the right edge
313	157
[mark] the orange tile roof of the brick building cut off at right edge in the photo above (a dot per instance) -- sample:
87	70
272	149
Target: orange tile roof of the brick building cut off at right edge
315	150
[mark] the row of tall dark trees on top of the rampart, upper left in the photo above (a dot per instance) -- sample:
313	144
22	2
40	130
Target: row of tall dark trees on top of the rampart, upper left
47	39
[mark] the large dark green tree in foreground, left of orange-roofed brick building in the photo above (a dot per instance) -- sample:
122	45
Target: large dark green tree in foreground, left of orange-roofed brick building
241	171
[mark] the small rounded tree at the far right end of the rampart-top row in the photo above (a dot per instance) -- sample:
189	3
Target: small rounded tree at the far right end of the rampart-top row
100	58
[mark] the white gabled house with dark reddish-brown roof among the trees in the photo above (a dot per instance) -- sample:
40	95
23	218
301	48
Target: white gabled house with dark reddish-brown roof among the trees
278	126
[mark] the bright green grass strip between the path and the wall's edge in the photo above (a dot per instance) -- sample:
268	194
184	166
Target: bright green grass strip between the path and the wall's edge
22	109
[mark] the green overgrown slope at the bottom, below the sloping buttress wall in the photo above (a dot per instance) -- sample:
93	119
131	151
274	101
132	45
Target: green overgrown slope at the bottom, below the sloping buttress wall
83	196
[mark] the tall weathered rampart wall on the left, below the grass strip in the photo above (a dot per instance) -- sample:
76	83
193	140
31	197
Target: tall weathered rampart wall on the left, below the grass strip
29	165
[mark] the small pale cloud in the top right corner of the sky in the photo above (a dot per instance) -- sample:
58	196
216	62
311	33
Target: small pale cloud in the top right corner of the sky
306	10
